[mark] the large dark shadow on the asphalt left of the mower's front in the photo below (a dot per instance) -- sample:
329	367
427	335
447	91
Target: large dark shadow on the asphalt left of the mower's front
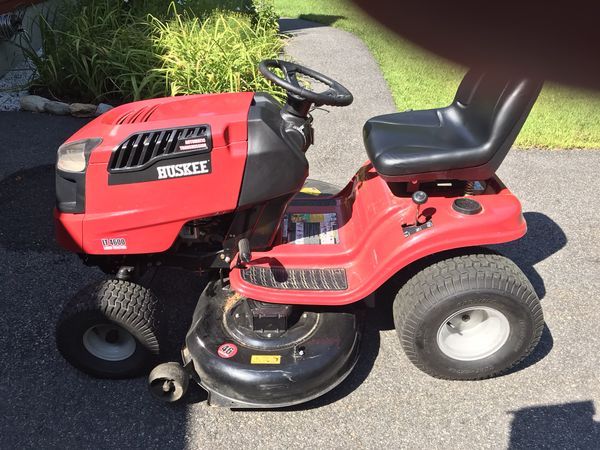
46	403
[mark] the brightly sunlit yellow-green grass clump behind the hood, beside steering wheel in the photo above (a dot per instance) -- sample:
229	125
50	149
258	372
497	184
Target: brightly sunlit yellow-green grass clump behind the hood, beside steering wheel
219	54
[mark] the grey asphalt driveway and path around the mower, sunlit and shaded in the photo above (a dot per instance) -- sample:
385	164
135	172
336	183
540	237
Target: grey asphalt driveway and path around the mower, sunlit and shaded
548	402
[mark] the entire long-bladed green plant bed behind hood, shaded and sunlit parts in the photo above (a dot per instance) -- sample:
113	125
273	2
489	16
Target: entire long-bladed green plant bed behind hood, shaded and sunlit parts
117	51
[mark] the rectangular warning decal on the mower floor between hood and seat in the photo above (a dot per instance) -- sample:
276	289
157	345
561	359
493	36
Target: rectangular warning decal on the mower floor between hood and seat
307	229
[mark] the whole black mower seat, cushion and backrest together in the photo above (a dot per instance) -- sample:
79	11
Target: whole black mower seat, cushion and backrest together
465	141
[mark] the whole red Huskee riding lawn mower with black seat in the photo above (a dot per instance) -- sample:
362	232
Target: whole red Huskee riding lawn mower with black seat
218	184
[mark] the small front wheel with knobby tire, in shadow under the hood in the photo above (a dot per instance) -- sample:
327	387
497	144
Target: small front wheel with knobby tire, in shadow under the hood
110	330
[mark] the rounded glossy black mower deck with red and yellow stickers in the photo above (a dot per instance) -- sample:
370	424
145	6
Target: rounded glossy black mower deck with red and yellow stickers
246	361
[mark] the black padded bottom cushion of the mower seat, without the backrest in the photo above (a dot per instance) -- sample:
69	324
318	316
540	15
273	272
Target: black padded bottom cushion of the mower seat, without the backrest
417	142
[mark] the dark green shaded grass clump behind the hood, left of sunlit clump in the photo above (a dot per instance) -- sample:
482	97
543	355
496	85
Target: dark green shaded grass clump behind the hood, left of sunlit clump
100	51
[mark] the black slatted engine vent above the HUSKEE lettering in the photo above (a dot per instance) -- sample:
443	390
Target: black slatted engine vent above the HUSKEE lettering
143	149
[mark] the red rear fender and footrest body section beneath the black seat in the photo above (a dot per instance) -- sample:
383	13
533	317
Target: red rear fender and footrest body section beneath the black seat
372	246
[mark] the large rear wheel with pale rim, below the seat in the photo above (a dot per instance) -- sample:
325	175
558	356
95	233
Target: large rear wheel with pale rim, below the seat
468	317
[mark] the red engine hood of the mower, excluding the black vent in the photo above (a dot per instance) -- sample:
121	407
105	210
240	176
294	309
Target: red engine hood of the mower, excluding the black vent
149	215
